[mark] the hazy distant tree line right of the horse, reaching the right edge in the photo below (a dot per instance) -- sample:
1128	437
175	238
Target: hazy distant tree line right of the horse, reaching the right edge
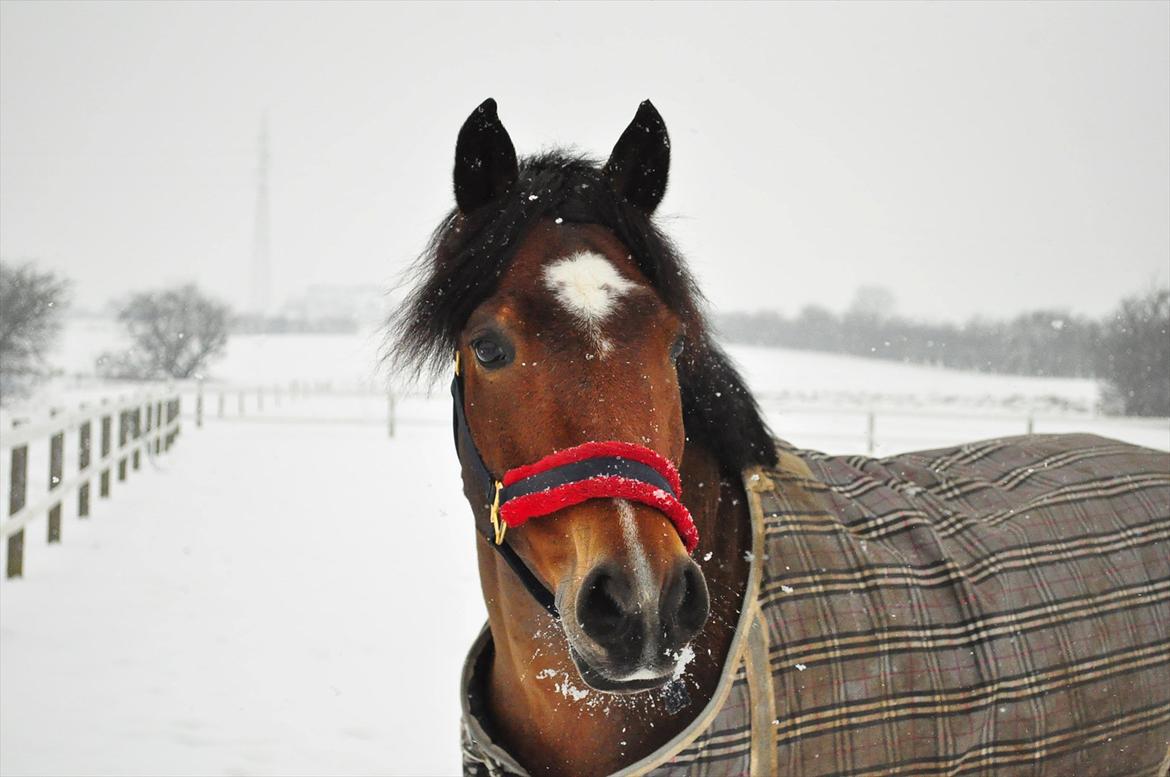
1128	349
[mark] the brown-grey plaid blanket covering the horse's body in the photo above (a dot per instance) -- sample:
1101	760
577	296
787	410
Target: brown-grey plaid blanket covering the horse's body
1001	608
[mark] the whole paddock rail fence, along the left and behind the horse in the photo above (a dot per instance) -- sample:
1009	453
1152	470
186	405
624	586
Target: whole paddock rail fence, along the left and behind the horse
106	442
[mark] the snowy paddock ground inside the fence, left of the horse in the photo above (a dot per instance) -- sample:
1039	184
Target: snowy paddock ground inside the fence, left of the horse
266	600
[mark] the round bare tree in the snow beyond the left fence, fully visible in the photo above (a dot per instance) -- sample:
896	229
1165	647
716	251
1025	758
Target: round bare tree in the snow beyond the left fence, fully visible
174	334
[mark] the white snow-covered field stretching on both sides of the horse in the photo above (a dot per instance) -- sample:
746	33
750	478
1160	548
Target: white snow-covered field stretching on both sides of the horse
293	592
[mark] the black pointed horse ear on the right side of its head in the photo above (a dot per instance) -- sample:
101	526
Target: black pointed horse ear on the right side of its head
641	162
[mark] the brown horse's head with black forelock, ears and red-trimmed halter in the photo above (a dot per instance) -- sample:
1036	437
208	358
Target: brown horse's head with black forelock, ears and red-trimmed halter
584	372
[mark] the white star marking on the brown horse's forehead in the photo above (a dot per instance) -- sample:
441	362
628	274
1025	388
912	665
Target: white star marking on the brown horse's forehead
589	287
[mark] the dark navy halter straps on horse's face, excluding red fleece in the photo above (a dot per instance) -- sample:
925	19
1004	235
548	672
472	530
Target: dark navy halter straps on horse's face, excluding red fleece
569	473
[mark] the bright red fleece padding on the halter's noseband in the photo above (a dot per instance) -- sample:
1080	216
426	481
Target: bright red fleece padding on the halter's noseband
517	512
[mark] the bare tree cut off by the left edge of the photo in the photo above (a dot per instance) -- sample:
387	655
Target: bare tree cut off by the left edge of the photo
31	307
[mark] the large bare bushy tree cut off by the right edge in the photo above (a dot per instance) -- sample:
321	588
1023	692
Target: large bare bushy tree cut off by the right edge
1135	354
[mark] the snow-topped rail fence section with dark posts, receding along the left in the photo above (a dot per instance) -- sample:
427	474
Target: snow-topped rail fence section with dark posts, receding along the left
148	422
